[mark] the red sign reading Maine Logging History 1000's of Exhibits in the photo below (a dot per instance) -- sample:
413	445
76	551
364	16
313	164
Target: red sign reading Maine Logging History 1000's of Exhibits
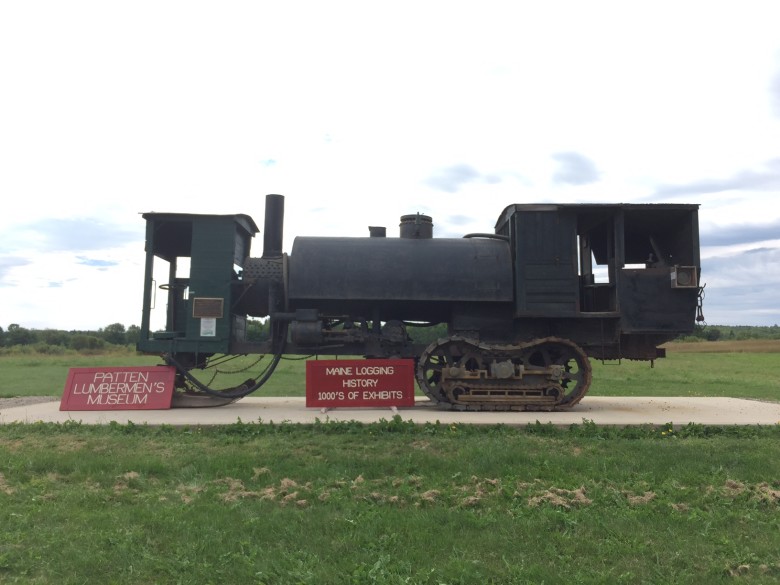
350	383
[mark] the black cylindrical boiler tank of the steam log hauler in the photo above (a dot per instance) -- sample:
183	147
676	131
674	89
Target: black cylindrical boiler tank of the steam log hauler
401	278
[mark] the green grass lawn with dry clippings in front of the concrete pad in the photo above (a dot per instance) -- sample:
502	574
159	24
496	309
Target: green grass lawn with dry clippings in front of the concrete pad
388	503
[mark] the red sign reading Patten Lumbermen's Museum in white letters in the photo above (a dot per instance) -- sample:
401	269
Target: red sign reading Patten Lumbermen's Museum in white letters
119	388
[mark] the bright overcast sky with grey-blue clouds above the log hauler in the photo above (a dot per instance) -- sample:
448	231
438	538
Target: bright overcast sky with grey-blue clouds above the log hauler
359	112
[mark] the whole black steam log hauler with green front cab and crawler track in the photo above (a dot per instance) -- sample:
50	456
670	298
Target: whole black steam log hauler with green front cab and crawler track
525	306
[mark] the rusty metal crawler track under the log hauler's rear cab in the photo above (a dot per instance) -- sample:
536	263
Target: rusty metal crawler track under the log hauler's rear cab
544	374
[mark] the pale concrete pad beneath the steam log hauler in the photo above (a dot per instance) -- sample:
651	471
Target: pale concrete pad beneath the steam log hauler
602	410
